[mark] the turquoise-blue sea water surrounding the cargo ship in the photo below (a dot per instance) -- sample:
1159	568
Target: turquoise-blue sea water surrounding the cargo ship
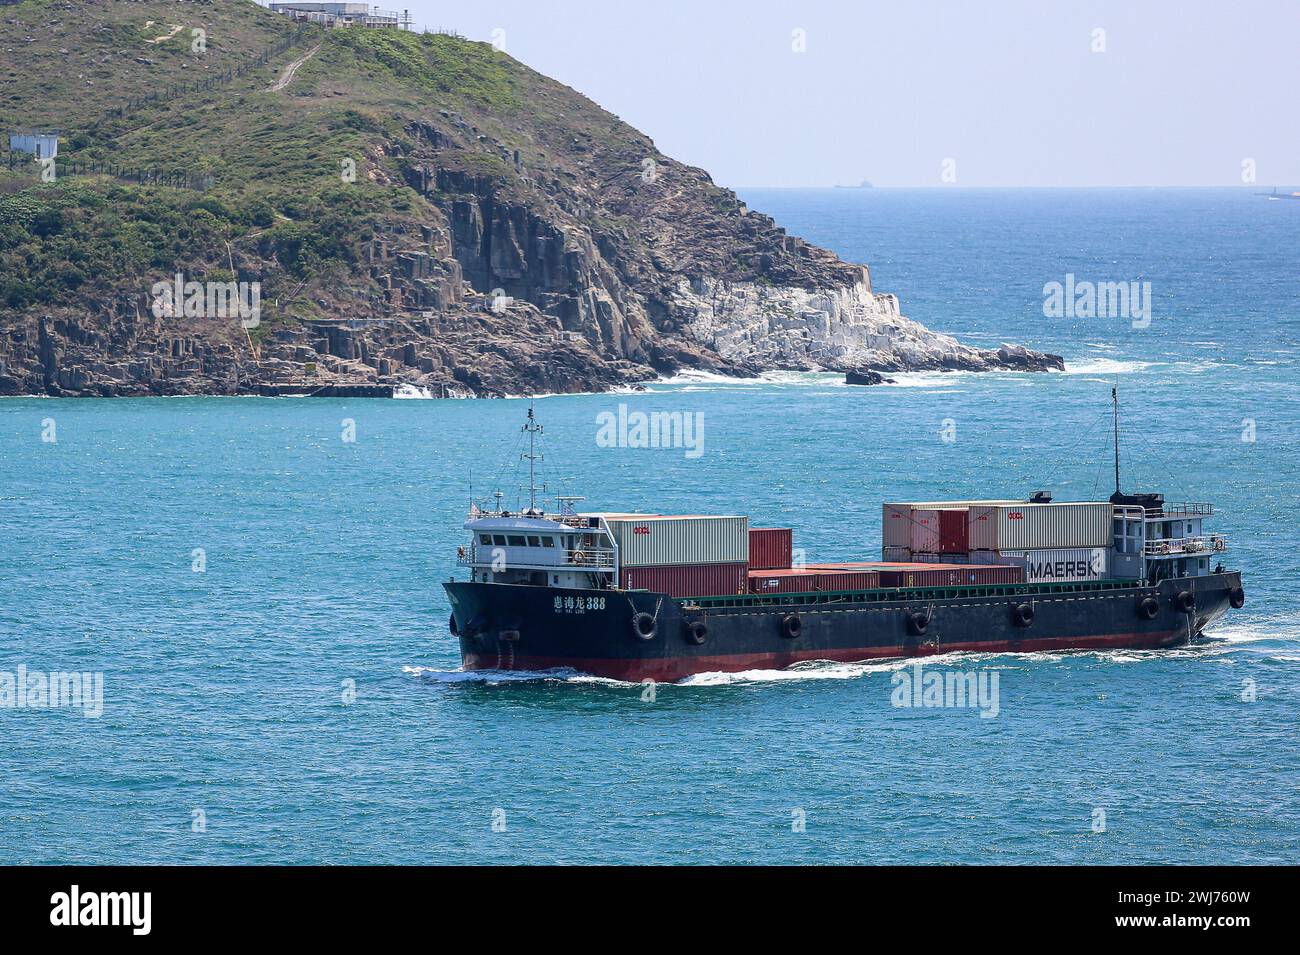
224	691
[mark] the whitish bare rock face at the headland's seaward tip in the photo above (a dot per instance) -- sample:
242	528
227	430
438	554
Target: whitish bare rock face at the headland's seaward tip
833	329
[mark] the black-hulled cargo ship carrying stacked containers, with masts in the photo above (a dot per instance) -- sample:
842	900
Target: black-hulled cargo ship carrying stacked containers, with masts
642	597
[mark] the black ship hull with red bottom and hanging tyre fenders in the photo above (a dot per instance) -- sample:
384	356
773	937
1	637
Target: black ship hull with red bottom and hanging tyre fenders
538	628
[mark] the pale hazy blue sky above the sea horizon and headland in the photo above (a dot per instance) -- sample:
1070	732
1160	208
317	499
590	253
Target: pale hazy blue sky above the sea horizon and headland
1012	92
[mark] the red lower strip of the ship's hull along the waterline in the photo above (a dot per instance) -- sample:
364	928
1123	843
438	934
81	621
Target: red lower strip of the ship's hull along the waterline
671	668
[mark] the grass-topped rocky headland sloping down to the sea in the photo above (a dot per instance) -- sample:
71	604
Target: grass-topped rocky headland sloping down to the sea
414	209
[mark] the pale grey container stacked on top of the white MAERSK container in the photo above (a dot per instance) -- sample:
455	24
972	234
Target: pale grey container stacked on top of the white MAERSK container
1041	527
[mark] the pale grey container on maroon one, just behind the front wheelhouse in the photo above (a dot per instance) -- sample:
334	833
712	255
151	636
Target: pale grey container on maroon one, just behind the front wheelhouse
665	540
